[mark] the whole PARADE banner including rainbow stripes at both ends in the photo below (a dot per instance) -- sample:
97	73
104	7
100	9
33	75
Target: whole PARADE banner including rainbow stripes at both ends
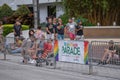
71	51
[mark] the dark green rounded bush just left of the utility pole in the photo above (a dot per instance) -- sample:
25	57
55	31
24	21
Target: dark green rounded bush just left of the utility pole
22	10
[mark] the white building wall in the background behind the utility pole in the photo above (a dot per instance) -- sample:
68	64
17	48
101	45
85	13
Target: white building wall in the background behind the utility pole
43	7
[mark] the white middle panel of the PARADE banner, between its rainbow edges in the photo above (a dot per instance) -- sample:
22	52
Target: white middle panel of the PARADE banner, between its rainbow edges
71	51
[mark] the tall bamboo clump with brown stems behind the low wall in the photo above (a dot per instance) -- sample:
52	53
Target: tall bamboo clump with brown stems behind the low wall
103	11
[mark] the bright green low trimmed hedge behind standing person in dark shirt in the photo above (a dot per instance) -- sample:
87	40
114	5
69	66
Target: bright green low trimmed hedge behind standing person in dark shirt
8	28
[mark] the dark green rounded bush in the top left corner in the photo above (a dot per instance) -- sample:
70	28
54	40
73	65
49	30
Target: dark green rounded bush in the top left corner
5	11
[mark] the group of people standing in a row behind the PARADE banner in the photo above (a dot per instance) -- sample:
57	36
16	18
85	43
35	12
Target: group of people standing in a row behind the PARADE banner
55	28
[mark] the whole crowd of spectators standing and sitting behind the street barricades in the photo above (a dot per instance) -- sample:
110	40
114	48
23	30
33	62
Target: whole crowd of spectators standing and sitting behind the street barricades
41	45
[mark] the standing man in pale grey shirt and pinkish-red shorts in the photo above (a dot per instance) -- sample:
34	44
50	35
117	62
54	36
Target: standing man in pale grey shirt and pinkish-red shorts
70	29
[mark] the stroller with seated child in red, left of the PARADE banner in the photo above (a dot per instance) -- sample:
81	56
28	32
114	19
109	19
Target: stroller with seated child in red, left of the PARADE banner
46	55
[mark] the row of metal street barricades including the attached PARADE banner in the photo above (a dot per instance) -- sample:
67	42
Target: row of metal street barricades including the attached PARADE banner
83	57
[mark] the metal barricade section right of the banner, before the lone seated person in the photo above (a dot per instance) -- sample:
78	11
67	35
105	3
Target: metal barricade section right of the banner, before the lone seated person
97	51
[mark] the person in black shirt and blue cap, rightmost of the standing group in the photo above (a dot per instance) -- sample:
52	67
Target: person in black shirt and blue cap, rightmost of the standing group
79	31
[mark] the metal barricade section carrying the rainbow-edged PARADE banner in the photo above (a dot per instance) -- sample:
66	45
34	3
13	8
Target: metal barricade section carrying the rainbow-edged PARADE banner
72	55
